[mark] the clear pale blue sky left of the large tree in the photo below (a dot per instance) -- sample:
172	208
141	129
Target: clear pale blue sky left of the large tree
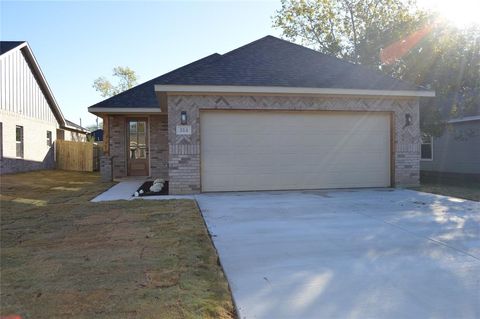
76	42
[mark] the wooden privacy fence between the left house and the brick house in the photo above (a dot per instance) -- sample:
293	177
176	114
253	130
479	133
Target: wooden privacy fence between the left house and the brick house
74	156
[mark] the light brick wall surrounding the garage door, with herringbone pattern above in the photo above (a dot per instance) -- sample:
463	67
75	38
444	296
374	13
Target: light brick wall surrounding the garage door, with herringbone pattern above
184	151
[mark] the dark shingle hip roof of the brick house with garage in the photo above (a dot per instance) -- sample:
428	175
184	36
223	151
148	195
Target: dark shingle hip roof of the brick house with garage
268	61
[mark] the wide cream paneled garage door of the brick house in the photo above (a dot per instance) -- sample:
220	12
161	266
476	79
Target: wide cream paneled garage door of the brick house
253	150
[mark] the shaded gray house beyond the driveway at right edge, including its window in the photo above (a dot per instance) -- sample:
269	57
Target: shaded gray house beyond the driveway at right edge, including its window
456	151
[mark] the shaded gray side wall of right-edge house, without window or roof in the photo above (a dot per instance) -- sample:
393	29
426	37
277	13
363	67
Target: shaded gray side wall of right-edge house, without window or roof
457	150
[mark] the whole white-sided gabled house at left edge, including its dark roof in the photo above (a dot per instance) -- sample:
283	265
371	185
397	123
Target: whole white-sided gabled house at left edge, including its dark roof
30	118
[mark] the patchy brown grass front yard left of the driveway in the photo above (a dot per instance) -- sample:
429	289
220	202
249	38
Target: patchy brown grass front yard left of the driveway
63	257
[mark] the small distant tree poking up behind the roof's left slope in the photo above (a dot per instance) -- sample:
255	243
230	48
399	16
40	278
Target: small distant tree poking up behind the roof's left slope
126	80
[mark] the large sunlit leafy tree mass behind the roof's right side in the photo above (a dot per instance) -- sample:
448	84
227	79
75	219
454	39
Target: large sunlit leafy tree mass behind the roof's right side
398	38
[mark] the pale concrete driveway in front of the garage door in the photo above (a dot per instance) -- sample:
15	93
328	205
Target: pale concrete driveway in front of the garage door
348	254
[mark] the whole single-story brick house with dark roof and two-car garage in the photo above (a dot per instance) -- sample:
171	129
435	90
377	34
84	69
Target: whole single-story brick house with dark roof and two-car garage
270	115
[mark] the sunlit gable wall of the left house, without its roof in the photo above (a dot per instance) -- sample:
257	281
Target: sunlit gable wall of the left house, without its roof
22	103
